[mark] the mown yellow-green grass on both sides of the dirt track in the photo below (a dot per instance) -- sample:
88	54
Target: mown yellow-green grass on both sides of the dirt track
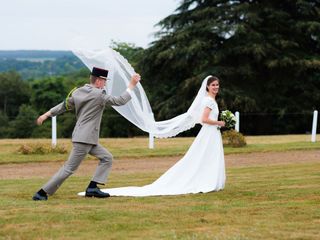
259	202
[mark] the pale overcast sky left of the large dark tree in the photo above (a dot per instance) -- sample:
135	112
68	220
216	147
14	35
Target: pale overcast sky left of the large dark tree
54	24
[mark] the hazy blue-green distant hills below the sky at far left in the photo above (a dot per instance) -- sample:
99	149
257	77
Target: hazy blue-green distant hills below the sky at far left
32	64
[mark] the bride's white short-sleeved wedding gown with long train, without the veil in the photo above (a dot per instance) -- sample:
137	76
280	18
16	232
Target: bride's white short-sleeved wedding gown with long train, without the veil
202	169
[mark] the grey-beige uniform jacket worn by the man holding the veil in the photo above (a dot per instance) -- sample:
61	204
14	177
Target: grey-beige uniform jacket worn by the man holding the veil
89	103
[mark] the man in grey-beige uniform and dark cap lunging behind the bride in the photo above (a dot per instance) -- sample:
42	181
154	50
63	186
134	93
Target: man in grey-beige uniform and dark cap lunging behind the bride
88	102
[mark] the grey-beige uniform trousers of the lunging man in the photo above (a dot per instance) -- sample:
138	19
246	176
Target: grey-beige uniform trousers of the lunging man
78	153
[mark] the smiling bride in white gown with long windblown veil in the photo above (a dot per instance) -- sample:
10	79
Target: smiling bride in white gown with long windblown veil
202	168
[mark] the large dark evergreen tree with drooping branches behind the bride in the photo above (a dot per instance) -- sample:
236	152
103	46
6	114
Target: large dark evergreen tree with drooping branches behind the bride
265	52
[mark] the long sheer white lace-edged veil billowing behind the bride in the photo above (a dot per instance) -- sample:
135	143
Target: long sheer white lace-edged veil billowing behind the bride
138	111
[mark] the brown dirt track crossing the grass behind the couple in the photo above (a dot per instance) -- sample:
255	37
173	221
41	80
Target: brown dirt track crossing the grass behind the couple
87	168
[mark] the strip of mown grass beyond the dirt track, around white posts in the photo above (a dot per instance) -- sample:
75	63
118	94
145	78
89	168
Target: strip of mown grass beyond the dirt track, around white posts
138	147
